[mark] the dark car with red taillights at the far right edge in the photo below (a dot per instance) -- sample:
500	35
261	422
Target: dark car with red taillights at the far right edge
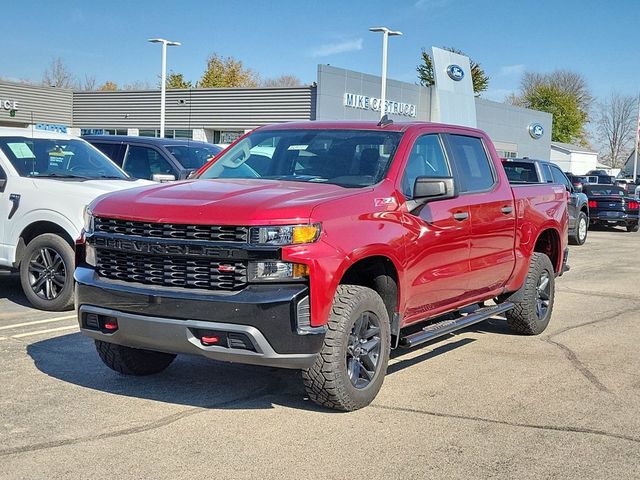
610	205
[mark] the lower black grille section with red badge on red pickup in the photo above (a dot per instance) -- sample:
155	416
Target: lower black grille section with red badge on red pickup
171	271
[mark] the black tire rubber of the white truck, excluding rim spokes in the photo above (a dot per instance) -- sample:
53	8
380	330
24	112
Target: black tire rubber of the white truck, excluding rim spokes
61	248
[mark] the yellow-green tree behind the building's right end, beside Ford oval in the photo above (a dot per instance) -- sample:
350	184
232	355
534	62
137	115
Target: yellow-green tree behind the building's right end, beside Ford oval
570	90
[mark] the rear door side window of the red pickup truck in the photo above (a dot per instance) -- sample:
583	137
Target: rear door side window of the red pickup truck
472	163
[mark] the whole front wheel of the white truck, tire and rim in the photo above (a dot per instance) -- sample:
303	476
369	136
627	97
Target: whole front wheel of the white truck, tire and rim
46	273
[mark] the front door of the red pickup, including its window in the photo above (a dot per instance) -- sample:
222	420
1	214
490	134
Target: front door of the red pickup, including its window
437	245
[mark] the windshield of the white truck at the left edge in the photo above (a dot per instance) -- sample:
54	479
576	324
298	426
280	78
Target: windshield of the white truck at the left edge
46	157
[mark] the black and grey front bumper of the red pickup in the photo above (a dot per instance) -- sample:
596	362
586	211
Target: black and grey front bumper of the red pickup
263	317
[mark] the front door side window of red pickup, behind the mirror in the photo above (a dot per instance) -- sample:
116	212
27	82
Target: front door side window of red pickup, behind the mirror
427	159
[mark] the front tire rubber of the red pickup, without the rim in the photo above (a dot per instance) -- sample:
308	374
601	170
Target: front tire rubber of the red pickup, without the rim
327	382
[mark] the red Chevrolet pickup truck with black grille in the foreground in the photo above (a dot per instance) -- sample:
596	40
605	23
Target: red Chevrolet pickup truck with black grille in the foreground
320	246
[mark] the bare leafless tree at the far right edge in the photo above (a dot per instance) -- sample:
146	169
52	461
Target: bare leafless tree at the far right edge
615	126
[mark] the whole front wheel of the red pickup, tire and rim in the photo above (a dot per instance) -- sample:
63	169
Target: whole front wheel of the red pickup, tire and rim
349	370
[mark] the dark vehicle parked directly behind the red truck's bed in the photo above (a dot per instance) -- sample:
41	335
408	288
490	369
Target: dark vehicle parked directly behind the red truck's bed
527	170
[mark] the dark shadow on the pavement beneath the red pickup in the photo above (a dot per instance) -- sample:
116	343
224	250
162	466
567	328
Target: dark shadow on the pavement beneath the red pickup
189	380
